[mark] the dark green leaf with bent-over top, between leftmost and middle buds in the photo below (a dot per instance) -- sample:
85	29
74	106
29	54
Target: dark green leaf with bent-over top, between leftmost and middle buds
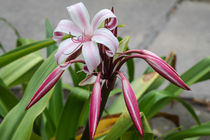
69	120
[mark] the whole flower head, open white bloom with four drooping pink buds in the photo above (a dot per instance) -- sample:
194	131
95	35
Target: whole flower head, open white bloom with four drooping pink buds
99	46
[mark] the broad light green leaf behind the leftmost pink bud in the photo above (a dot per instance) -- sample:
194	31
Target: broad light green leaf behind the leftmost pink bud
18	123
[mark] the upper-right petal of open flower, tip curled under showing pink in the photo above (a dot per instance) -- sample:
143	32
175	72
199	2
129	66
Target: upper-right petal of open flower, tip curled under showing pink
102	16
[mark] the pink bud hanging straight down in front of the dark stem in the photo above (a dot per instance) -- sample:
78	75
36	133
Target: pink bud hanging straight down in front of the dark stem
95	103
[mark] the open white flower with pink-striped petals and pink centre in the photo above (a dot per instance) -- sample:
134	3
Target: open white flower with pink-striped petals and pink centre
85	35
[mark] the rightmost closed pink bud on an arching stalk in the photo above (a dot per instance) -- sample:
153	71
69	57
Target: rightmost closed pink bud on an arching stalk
166	71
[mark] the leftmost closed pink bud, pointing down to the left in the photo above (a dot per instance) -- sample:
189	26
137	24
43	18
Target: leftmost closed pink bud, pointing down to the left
48	84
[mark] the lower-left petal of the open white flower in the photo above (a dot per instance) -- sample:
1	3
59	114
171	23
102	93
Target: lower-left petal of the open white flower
66	48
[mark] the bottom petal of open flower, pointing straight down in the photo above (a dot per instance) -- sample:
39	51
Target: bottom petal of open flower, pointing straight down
91	55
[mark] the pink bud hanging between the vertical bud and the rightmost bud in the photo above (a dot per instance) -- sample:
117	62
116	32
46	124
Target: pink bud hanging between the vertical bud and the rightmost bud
131	103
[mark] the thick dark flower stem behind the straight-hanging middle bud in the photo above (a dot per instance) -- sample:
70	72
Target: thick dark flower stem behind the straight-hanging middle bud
106	89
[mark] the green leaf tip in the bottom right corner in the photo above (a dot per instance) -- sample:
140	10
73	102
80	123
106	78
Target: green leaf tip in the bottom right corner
201	130
